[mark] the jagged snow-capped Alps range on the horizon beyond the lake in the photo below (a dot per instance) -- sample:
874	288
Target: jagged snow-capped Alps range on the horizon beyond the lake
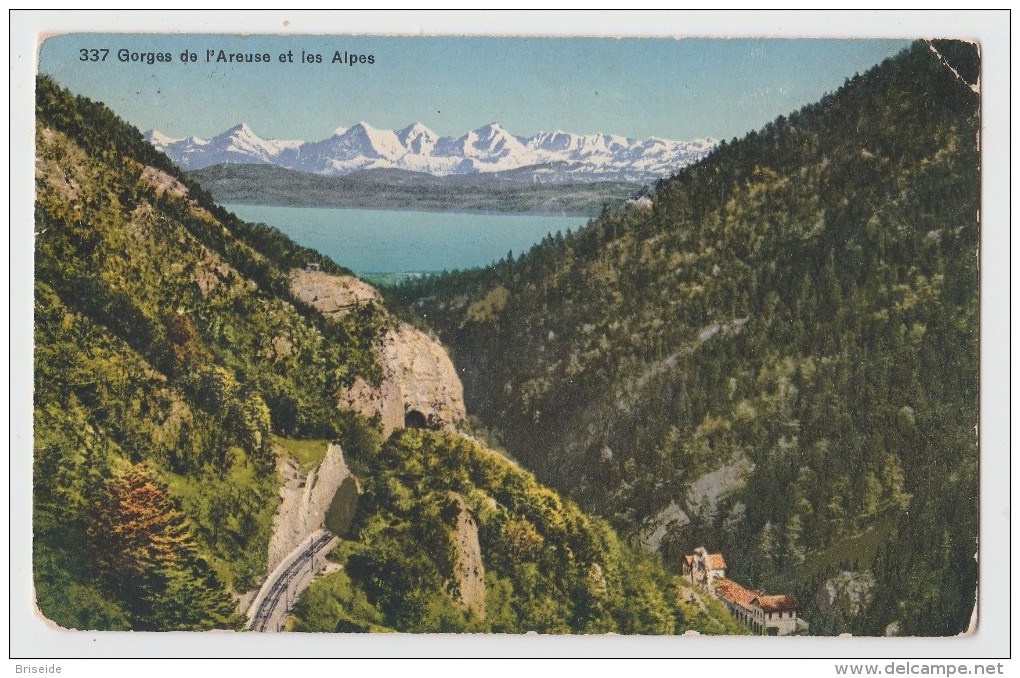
560	155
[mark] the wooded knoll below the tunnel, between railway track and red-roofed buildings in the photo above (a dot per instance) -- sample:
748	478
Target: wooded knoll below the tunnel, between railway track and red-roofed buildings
450	537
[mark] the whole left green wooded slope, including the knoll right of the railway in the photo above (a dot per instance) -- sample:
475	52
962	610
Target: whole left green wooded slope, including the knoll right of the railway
171	357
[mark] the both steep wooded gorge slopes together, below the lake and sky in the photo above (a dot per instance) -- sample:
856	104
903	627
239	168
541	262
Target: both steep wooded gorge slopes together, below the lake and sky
774	354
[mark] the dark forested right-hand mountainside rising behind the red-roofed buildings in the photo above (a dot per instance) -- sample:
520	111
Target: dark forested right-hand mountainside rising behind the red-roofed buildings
777	355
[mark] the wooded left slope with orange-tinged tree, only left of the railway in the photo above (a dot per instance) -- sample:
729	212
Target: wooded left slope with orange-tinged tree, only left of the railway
169	347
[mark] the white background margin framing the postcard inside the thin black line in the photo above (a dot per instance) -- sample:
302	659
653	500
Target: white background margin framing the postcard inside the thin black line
31	638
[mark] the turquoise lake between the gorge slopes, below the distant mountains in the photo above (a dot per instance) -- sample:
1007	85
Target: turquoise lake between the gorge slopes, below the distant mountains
379	244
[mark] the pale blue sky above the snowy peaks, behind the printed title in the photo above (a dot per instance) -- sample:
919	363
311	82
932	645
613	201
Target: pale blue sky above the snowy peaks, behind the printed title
676	89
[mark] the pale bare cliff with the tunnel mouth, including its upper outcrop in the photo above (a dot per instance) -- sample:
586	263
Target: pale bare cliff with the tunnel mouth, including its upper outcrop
421	384
